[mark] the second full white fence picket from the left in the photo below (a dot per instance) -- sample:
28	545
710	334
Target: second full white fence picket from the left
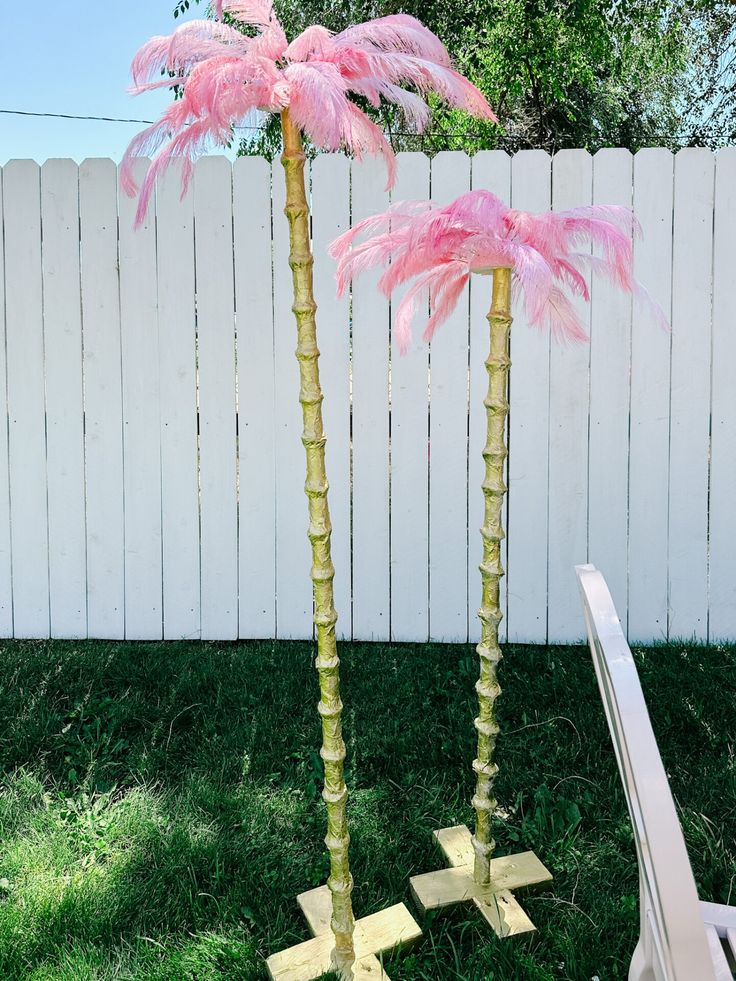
62	318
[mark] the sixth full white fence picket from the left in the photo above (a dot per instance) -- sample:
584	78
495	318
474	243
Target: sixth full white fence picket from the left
212	188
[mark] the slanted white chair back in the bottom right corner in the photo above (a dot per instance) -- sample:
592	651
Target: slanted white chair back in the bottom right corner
670	906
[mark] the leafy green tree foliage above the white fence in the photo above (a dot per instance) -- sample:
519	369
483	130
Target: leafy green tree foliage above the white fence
561	73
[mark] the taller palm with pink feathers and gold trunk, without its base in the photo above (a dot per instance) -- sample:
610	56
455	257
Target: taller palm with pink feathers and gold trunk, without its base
223	75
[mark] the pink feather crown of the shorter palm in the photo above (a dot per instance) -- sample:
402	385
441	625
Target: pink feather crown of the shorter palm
439	247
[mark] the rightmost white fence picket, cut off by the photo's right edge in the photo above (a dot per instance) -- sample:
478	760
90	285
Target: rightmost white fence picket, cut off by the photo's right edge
722	531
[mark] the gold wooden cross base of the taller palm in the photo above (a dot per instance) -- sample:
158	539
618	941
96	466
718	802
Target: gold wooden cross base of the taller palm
374	935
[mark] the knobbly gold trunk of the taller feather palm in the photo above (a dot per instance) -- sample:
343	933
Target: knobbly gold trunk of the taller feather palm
335	792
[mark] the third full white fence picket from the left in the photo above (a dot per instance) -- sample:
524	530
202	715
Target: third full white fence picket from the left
103	400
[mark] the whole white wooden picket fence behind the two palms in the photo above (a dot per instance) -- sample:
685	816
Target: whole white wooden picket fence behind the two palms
151	472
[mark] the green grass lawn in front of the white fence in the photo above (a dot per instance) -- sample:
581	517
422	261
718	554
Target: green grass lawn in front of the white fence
159	809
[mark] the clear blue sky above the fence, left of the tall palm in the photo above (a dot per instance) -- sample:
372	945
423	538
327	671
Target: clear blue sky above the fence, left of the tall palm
74	57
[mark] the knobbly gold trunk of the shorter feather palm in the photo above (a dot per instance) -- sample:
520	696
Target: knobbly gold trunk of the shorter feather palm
491	570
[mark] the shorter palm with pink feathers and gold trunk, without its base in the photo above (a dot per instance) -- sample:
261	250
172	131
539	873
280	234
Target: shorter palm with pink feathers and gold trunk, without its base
438	248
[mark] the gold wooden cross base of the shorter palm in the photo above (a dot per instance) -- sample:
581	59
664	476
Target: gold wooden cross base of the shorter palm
456	884
